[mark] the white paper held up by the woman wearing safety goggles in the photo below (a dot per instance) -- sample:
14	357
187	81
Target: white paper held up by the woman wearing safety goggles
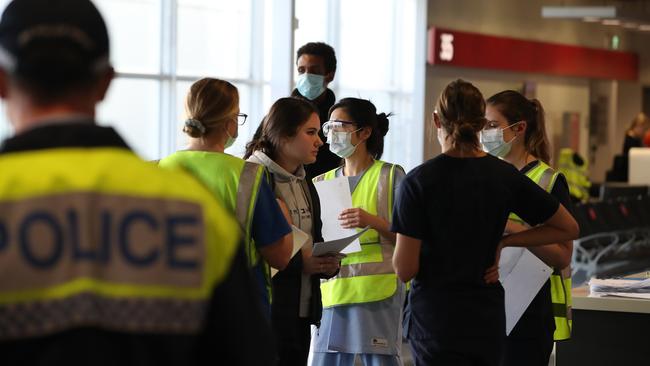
335	196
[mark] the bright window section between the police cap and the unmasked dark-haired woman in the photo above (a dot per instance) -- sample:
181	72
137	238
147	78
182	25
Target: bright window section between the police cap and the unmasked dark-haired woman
160	47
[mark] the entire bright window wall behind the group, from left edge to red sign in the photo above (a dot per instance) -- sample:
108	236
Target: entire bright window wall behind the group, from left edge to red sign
160	47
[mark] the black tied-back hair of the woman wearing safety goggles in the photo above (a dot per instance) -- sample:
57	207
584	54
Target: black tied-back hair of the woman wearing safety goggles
364	114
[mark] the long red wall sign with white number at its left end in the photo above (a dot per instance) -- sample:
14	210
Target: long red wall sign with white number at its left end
473	50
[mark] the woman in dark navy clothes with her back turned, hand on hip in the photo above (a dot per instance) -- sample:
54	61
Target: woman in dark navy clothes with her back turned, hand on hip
450	215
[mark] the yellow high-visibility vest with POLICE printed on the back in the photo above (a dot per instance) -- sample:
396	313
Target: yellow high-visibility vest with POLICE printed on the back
90	229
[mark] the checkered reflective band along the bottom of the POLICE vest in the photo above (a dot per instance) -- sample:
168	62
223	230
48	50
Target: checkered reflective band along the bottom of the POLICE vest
137	315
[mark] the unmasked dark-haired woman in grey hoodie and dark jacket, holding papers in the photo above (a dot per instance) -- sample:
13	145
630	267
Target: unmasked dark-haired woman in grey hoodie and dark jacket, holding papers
288	141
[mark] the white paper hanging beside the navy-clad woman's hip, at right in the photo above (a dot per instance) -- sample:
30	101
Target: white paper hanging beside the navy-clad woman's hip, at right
522	275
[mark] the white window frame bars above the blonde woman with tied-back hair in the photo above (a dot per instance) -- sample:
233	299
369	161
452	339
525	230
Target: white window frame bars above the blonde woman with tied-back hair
168	76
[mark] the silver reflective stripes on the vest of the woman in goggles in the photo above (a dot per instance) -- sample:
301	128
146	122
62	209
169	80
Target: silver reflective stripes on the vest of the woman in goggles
384	187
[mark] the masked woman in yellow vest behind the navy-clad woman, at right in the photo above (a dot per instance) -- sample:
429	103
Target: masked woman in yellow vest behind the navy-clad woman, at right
515	132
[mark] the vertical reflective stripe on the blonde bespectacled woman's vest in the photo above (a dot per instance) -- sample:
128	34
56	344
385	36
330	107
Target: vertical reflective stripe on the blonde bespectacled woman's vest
245	192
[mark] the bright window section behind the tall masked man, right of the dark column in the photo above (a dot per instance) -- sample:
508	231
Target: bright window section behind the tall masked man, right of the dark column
376	55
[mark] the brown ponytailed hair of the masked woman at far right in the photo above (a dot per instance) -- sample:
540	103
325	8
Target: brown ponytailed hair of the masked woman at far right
515	108
